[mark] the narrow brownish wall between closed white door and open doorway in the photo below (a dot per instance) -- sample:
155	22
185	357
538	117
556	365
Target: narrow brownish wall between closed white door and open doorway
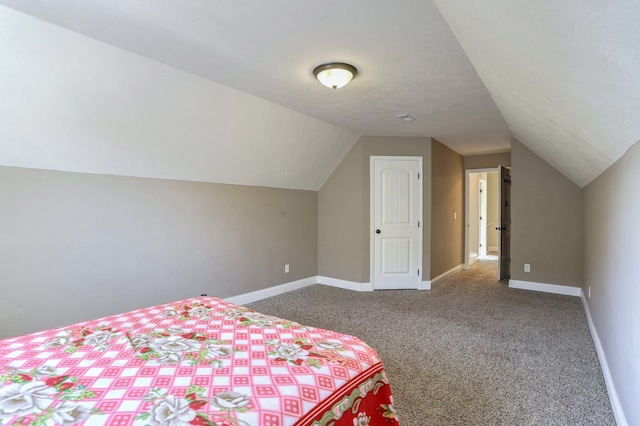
447	191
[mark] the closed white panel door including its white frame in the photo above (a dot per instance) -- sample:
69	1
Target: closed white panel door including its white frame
396	216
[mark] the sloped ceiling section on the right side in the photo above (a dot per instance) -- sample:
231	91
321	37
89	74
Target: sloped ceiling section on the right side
564	74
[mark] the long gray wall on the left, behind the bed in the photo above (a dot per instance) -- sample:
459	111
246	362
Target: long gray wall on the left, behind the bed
79	246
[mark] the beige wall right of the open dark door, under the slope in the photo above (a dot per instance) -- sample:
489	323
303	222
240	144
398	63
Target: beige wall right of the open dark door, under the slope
547	221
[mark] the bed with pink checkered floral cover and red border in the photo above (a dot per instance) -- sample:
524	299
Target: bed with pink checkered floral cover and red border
200	361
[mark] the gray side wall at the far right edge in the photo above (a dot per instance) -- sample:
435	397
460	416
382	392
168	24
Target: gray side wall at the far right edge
612	234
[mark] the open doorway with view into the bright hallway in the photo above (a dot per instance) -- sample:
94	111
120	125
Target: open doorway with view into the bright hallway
482	208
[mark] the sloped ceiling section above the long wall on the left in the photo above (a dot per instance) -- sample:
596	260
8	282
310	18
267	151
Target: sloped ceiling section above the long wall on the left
70	103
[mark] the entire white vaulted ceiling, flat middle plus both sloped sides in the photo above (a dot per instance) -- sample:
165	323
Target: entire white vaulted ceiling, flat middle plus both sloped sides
223	91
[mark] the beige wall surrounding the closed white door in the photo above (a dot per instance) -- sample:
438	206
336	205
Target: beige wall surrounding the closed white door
344	211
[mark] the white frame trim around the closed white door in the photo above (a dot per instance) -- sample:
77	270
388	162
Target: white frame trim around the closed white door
372	214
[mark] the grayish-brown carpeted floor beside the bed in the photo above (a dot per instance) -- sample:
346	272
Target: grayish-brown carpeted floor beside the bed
470	351
